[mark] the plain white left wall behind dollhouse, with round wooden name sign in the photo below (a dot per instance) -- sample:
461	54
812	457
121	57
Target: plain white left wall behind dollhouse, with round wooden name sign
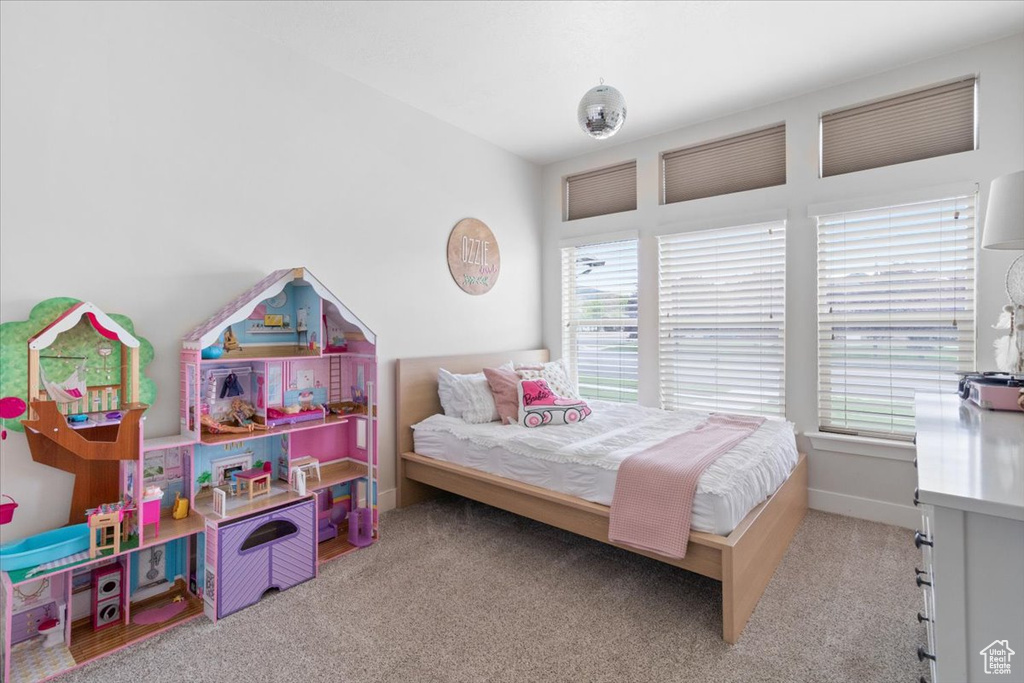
158	161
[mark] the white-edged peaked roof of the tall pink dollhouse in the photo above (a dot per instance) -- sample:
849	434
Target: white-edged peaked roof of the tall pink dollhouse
242	307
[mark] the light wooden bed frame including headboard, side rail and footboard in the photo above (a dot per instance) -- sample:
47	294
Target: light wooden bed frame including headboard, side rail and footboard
744	562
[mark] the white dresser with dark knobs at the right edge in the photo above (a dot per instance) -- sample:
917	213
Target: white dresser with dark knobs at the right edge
971	493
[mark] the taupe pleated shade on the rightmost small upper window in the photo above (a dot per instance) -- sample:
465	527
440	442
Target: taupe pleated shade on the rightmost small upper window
928	123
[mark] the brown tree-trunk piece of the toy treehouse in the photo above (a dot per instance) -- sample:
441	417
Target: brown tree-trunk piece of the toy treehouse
93	455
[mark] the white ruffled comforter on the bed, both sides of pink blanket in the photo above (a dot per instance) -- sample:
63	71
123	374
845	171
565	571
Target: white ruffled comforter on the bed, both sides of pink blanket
751	472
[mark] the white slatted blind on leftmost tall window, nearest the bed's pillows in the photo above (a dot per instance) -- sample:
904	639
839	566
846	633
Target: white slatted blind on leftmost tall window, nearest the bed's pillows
600	319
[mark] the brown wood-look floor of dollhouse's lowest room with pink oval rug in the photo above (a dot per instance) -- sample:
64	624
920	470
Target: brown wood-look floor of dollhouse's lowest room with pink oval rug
87	644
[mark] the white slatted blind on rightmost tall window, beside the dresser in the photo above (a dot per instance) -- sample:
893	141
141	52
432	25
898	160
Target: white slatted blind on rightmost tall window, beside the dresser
895	313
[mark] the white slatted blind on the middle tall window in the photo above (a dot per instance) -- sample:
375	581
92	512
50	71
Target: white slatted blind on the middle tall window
722	320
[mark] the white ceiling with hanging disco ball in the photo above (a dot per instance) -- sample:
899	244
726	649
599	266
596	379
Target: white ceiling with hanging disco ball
513	73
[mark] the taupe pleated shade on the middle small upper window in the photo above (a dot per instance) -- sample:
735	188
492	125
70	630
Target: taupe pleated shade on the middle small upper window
733	165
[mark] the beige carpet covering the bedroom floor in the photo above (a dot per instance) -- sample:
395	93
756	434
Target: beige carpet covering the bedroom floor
458	591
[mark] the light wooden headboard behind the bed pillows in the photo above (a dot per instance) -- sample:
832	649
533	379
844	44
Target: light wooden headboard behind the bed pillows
416	385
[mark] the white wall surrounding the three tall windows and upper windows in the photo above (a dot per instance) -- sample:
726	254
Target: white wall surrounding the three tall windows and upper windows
881	486
